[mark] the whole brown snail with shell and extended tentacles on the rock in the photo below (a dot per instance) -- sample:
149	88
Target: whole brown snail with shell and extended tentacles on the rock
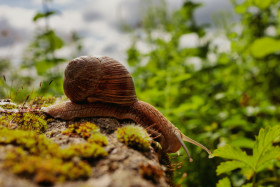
102	87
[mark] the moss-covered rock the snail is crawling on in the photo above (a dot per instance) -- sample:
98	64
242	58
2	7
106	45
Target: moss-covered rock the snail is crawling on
80	158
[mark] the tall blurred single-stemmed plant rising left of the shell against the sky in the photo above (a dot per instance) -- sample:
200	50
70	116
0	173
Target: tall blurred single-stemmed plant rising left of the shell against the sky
41	52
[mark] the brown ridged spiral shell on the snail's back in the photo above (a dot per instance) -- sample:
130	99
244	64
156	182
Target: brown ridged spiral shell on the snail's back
98	79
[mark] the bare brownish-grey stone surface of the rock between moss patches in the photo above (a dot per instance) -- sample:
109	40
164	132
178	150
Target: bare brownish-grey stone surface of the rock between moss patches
123	167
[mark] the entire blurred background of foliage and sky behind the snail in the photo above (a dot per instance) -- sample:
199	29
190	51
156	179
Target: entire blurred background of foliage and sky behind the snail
211	67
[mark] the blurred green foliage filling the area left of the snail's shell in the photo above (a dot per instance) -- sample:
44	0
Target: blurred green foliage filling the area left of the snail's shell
41	67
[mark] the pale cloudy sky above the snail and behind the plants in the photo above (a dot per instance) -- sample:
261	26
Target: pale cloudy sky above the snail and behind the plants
98	22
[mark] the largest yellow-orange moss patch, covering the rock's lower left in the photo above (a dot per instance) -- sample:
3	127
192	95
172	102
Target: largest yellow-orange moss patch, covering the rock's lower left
40	159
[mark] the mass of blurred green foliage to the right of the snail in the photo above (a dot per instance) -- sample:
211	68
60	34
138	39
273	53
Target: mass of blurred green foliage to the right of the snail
216	102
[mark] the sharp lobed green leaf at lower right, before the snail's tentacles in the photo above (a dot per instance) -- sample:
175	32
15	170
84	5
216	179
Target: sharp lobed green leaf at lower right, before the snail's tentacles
262	162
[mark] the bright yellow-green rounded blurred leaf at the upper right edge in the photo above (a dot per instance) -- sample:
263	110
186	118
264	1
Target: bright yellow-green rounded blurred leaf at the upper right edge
265	46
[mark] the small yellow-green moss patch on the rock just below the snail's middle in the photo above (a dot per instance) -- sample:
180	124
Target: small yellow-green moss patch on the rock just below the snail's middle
85	130
